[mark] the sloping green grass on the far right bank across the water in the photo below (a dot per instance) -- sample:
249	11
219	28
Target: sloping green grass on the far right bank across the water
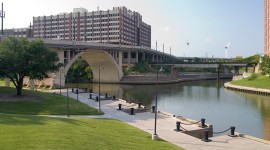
260	82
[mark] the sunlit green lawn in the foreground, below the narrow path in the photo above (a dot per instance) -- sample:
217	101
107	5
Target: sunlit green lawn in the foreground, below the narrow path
36	132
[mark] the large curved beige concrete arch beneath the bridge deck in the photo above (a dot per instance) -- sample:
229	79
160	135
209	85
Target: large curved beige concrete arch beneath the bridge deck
110	71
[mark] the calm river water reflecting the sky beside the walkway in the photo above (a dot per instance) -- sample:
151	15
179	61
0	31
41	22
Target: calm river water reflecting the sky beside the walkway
249	113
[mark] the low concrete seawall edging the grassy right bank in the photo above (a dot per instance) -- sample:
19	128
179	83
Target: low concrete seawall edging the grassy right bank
252	90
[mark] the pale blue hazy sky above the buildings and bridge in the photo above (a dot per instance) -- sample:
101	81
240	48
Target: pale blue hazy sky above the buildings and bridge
207	25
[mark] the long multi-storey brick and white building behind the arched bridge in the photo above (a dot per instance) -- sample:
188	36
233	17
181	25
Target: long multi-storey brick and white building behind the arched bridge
116	26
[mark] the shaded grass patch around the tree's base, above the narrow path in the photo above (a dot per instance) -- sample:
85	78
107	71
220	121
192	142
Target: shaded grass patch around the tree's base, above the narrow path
43	104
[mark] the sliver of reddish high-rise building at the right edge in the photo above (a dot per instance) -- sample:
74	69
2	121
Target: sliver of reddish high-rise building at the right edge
267	27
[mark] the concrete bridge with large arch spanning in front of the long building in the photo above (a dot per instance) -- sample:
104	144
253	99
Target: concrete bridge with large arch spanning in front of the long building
106	58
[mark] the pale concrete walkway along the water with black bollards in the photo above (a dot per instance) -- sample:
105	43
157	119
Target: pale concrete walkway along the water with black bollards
165	126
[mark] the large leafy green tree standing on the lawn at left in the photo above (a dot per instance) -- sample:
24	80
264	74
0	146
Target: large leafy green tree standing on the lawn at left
20	57
